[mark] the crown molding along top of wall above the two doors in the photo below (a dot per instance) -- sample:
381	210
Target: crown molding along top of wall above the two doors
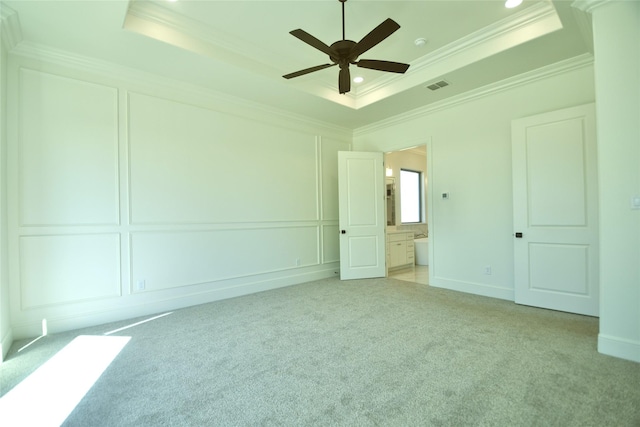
558	68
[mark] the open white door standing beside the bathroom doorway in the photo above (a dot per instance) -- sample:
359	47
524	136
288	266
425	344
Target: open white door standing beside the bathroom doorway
362	221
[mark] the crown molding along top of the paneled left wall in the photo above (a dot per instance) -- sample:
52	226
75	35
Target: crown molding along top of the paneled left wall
135	80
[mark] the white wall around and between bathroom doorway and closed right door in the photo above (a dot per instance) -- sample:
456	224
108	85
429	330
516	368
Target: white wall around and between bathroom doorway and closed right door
469	157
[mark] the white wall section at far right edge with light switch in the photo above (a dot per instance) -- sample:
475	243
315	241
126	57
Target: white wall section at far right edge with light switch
617	67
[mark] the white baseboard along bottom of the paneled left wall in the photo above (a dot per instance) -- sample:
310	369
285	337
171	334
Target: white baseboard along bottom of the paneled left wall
83	320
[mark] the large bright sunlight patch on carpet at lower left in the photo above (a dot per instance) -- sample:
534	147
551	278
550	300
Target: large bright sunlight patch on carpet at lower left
49	395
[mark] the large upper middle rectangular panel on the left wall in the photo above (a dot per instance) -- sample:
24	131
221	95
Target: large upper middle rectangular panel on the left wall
191	165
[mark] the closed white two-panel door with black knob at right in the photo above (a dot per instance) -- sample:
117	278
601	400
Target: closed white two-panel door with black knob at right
555	209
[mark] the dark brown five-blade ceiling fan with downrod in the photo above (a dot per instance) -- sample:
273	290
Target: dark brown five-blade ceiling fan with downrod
345	52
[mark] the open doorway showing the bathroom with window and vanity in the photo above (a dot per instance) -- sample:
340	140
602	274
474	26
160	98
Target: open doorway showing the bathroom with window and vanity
407	222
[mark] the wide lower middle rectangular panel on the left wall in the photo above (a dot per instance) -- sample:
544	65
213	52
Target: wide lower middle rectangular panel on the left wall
166	260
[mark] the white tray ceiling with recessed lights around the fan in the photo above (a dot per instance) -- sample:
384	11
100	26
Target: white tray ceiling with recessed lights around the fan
242	48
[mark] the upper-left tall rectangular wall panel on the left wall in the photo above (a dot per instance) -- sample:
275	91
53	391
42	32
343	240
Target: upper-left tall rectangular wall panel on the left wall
68	168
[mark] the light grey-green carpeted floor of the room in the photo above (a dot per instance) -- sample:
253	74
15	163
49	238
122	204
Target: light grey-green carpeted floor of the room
355	353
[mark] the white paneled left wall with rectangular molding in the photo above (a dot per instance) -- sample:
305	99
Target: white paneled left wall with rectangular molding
118	182
